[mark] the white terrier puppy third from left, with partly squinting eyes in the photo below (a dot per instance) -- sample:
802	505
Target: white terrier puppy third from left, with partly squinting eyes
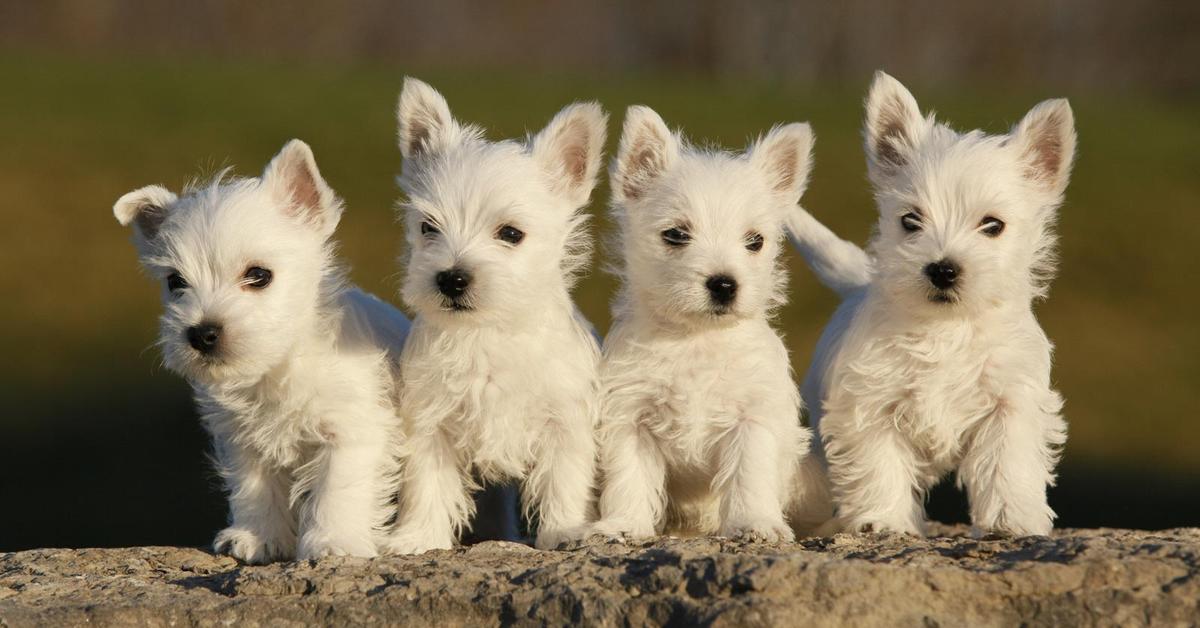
700	416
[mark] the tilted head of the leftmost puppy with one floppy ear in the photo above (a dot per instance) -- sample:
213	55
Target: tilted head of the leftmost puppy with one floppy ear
243	264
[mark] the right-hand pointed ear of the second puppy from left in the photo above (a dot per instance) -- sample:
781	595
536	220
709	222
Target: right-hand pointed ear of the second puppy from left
569	149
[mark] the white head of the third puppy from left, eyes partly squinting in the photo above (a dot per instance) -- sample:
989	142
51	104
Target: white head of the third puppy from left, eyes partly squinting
700	230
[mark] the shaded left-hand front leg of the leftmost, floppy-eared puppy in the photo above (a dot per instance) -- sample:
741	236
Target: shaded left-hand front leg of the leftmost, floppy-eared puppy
262	527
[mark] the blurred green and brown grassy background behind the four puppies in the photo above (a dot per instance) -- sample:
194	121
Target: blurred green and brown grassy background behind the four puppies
100	445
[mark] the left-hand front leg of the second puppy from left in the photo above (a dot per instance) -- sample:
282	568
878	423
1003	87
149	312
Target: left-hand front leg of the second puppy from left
435	504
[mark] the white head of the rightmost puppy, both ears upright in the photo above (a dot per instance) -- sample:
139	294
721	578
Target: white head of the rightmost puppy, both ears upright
965	219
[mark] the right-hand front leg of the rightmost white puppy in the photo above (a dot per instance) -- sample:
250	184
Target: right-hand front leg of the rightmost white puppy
1010	463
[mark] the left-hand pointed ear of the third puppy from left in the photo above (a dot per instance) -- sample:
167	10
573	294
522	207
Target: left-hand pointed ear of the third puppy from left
647	151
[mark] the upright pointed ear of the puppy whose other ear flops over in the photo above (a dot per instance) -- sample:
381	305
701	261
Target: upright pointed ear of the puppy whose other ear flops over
296	183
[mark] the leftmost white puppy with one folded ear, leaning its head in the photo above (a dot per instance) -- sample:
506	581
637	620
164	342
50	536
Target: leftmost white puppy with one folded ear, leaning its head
292	369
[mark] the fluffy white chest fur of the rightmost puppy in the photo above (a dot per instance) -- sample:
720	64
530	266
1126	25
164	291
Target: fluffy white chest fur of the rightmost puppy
934	385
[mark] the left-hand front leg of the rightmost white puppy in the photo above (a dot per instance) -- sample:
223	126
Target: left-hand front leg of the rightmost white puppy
873	473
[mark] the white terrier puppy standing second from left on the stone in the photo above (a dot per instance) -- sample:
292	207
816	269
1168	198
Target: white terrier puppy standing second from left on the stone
500	375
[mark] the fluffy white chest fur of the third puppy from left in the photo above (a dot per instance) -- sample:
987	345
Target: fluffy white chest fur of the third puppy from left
691	391
